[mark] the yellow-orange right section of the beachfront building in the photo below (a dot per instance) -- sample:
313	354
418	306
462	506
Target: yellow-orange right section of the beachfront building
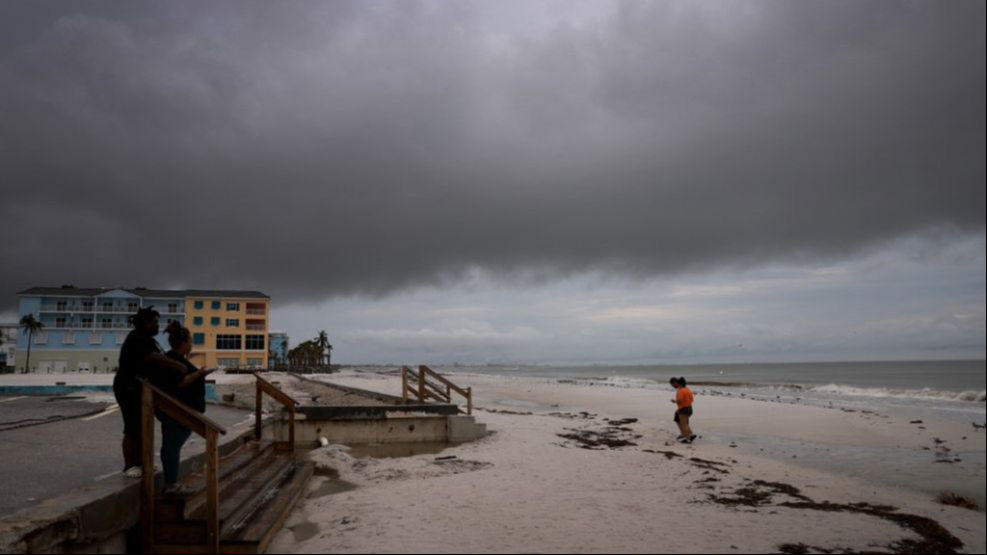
229	329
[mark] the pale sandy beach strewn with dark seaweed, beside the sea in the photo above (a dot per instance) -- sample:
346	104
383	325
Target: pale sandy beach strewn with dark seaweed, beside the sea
573	468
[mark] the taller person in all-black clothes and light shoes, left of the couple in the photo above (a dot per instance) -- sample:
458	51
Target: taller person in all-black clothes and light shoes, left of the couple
140	357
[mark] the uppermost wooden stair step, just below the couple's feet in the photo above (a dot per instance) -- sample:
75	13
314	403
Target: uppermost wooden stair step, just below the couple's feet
175	508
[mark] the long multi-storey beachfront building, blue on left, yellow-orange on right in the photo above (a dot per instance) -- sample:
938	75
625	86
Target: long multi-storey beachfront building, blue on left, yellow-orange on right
85	328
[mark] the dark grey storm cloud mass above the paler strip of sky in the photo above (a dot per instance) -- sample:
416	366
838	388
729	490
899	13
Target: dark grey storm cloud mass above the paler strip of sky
314	149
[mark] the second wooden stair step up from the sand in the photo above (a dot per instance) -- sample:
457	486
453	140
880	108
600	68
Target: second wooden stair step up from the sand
241	496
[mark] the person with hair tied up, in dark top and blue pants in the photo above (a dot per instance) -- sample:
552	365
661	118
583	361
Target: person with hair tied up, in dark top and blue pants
189	388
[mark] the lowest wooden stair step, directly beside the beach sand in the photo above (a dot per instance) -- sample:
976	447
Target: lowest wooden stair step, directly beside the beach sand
257	532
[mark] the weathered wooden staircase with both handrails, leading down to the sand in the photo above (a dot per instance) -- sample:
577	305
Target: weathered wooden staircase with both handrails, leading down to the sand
237	504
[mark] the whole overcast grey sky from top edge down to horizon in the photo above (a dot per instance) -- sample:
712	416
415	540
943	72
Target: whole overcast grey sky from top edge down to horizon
519	180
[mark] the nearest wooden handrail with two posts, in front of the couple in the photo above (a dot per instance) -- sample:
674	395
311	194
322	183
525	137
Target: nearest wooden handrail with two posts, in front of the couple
155	400
